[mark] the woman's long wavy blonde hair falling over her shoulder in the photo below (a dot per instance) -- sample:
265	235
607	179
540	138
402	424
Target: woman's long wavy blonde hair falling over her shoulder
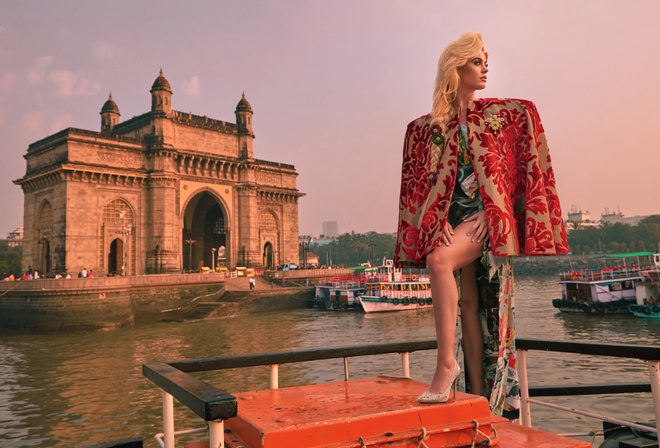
455	55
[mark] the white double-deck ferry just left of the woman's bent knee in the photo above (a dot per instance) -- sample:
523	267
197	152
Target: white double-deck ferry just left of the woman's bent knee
388	289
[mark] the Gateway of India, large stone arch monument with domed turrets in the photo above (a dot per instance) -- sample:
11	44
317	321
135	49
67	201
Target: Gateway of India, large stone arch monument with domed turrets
165	191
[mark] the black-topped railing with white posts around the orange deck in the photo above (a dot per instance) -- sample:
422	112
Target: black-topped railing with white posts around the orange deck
215	405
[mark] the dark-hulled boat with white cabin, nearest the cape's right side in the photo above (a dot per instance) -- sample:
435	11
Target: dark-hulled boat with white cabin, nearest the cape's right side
608	291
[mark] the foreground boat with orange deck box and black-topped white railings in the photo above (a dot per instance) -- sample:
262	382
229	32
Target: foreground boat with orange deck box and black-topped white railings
378	411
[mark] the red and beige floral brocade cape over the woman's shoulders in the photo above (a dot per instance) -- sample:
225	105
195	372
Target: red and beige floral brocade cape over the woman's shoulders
516	182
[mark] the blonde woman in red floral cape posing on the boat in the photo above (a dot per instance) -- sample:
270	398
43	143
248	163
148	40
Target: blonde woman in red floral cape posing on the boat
477	188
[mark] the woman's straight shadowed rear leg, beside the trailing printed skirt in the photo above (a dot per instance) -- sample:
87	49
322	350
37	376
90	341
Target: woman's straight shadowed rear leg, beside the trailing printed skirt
473	341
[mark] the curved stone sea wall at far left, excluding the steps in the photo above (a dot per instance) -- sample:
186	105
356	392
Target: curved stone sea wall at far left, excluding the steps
103	302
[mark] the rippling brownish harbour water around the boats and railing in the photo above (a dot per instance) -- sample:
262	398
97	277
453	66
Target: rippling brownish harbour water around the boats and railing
71	390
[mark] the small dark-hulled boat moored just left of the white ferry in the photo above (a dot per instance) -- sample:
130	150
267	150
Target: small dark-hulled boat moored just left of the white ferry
340	293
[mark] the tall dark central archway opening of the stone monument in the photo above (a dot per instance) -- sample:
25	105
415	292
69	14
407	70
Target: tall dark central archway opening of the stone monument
204	232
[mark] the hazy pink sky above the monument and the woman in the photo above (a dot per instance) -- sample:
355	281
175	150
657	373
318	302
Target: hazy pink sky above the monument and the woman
333	85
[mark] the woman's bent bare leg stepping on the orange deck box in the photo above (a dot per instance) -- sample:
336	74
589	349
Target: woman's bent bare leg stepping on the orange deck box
442	262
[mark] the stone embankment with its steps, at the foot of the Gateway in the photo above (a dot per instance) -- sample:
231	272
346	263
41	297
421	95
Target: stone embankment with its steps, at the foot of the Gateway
84	304
